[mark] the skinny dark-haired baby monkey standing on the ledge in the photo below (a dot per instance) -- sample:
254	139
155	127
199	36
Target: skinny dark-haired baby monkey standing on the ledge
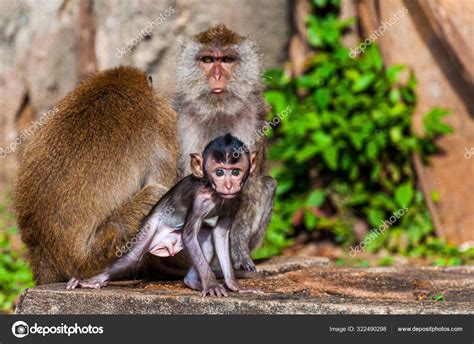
177	221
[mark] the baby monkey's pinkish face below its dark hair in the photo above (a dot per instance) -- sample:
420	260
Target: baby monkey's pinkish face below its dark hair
227	179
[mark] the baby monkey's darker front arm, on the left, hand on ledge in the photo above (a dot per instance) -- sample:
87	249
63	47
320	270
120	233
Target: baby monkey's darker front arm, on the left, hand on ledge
191	229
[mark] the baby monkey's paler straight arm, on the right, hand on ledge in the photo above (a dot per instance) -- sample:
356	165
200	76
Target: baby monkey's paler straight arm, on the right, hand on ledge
221	238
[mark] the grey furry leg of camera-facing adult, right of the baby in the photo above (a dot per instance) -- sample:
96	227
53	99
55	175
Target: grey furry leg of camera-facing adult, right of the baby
252	221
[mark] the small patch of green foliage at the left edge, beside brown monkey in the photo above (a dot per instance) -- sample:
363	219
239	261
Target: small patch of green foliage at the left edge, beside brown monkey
15	274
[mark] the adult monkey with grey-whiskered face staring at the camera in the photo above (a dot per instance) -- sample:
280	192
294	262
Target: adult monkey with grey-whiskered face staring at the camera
219	90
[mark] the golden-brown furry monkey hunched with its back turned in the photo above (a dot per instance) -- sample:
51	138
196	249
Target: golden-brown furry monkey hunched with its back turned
92	173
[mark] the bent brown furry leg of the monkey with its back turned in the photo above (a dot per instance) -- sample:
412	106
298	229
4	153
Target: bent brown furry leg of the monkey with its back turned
112	236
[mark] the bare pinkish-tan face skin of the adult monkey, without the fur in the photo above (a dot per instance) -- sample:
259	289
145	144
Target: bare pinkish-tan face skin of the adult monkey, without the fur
218	67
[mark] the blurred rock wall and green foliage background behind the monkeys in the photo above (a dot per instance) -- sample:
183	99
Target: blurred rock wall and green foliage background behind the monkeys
374	150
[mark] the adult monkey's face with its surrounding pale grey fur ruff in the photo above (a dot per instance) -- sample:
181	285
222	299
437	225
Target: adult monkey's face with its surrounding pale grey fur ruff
218	76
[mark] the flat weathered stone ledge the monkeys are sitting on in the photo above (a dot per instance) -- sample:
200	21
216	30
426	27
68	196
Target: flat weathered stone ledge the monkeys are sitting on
292	289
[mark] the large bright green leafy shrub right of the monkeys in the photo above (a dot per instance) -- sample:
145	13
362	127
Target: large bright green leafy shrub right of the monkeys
344	152
